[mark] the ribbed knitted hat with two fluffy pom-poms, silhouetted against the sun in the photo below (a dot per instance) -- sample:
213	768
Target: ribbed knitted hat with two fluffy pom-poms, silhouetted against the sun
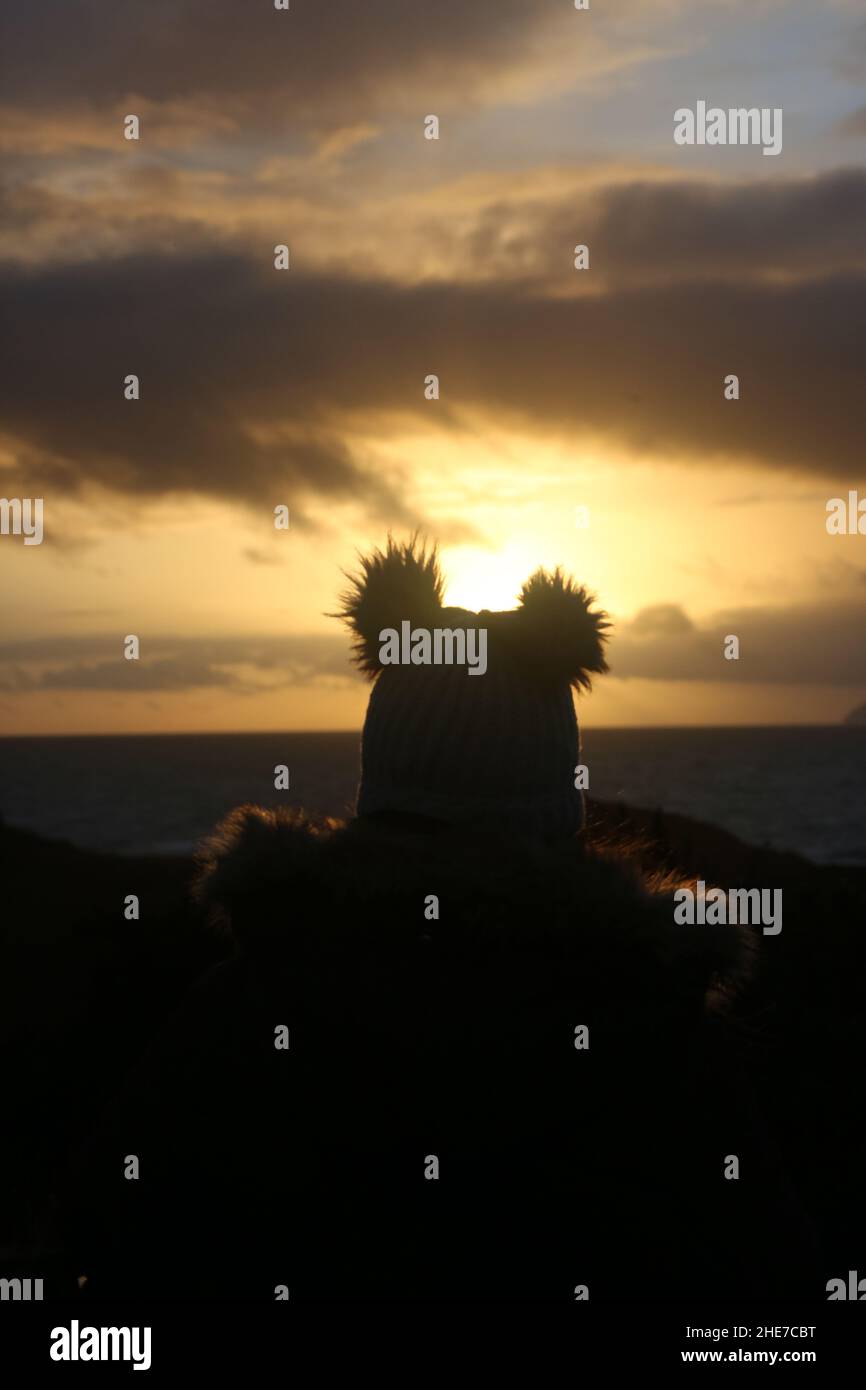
472	718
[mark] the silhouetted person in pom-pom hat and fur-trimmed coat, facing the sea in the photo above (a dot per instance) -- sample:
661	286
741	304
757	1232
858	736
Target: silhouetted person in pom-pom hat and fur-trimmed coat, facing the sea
458	1053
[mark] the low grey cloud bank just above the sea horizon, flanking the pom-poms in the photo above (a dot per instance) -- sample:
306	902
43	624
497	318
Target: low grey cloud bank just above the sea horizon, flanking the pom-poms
801	644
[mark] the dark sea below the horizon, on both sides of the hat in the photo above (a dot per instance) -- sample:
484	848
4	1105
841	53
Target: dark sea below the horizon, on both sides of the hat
786	789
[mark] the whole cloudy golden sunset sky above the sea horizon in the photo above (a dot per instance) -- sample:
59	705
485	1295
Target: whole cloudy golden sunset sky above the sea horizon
559	390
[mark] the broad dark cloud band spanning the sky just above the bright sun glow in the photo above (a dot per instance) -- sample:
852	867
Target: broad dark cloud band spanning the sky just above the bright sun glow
256	384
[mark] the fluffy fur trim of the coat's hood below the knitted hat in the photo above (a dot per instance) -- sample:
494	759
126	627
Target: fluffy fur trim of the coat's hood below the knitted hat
281	882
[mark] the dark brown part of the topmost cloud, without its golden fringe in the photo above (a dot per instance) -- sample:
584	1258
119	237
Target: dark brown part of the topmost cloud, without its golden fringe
322	59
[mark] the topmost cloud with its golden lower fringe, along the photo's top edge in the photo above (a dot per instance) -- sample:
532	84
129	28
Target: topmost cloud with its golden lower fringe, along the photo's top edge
201	70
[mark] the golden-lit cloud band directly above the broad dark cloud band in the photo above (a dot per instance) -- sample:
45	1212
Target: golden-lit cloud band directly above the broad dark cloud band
643	229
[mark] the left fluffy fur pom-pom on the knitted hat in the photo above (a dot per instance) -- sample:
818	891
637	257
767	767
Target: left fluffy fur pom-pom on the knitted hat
404	582
